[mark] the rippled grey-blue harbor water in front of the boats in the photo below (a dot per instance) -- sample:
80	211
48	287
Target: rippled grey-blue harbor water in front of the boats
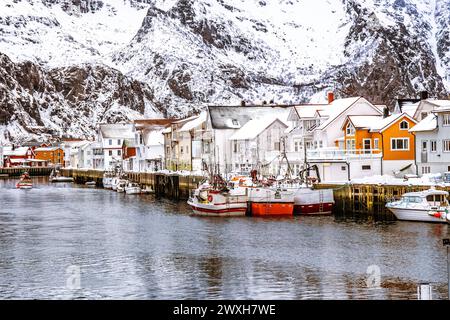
139	247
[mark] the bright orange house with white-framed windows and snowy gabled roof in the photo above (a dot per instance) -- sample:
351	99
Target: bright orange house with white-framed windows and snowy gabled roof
387	136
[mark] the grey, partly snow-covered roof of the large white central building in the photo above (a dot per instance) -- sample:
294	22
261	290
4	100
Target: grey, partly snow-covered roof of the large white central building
234	117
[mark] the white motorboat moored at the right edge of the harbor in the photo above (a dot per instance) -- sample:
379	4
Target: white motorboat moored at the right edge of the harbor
429	206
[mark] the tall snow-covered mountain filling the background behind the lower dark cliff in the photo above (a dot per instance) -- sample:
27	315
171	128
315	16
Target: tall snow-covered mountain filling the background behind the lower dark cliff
193	52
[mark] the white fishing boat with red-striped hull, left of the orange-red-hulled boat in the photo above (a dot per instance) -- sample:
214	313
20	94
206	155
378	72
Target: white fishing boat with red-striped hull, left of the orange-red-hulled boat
218	200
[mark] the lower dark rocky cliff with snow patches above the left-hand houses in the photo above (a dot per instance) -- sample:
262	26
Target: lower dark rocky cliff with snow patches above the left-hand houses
38	103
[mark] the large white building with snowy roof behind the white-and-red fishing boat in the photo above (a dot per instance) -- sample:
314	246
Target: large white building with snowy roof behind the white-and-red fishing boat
229	131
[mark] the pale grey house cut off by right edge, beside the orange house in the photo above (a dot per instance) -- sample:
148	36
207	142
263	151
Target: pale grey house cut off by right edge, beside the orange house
432	149
